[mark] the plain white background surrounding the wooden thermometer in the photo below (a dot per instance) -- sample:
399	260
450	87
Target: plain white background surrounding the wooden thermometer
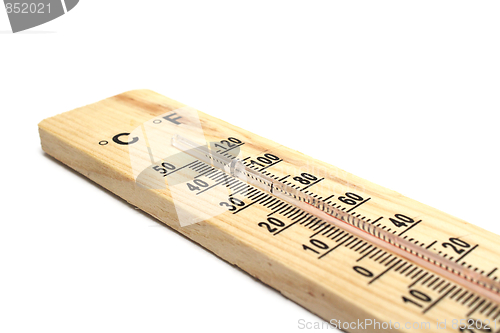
405	94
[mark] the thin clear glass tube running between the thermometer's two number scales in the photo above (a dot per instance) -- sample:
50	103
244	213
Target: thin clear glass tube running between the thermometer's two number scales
356	226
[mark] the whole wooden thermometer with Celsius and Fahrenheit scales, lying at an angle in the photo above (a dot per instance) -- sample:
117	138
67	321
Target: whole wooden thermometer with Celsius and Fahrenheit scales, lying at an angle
362	257
